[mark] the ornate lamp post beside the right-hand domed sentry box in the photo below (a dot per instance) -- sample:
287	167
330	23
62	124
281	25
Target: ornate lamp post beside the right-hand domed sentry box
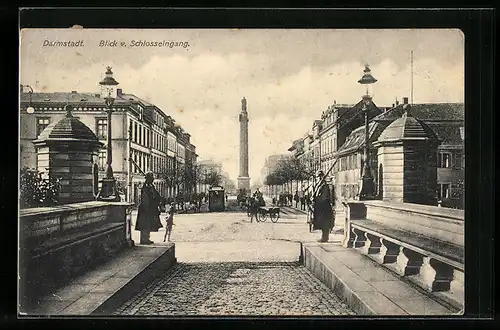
367	184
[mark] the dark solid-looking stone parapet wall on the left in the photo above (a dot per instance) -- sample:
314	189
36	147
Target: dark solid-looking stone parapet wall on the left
59	243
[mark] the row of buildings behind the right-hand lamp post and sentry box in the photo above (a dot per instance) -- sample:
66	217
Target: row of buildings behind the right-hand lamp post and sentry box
341	140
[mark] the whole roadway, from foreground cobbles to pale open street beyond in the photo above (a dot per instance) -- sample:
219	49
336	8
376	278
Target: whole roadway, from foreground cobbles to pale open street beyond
229	266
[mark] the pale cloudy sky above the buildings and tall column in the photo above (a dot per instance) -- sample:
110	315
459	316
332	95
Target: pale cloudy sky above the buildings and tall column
287	76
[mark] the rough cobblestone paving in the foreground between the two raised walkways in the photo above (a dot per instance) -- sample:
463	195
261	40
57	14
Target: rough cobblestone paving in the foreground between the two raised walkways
236	288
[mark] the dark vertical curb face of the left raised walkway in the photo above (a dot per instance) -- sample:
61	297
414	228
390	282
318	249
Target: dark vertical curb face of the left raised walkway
153	270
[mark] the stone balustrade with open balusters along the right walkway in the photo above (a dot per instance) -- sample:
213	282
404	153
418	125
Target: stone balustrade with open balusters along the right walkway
423	244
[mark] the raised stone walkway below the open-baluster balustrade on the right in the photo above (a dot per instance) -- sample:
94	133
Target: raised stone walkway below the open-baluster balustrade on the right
366	286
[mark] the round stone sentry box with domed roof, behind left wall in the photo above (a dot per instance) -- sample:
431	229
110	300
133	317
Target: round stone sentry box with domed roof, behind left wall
66	150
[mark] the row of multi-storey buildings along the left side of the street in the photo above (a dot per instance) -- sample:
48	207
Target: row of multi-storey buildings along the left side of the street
138	127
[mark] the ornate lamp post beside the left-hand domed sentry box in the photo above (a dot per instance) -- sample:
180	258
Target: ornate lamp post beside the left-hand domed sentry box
108	90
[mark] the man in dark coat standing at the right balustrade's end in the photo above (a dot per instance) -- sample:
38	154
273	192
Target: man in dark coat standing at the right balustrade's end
323	211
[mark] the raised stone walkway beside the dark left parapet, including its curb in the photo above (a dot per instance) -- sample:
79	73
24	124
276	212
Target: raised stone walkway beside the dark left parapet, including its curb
104	288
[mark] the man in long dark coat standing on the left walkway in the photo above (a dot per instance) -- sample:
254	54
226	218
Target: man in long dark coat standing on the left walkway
148	215
